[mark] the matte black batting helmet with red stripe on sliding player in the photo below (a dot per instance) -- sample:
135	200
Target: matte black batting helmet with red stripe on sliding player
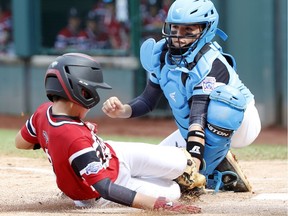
75	77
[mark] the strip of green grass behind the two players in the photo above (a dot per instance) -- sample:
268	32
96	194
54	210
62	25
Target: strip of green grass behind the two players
267	151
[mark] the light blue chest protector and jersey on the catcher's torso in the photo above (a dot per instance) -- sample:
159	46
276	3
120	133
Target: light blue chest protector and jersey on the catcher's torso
169	77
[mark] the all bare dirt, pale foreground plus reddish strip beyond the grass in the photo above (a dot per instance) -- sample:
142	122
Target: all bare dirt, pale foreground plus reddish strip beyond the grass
27	186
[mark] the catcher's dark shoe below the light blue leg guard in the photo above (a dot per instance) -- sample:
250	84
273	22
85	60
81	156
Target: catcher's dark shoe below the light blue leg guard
228	176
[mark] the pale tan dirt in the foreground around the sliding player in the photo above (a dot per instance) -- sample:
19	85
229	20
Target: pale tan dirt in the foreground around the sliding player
28	188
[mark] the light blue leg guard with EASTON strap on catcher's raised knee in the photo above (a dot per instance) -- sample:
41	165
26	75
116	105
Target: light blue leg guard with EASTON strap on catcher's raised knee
224	116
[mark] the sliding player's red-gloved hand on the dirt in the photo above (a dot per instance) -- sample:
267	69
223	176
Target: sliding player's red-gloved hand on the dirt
165	205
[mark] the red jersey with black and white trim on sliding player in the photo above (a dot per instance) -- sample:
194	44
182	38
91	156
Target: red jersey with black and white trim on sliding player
79	158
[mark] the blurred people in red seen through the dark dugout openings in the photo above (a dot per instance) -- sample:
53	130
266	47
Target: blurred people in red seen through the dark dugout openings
87	25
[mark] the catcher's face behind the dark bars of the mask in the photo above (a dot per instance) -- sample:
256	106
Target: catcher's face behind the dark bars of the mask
182	31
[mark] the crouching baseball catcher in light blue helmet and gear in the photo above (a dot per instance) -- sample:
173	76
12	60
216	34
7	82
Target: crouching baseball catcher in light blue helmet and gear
213	109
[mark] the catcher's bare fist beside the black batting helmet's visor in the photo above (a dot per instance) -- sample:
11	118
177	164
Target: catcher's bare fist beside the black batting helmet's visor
114	108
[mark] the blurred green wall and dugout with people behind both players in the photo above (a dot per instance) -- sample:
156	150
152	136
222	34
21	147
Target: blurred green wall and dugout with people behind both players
32	32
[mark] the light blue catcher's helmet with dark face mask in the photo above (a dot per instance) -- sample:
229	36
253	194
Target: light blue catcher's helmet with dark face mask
191	12
